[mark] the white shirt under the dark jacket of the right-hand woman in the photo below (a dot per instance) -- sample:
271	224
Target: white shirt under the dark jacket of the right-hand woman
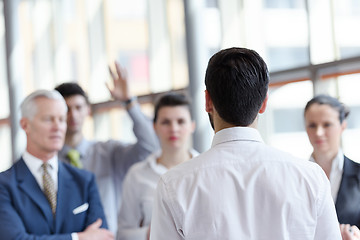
337	169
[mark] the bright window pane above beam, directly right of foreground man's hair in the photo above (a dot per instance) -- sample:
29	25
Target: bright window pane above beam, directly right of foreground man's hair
286	41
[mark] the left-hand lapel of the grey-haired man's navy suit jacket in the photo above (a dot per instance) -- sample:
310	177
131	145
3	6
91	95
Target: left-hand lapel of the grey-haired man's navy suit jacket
30	187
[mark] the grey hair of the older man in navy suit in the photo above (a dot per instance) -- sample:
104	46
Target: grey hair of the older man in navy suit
28	106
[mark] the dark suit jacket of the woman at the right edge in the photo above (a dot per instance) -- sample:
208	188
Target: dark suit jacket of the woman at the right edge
348	199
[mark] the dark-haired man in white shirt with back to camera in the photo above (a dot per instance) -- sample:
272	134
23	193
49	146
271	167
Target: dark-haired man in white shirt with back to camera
242	188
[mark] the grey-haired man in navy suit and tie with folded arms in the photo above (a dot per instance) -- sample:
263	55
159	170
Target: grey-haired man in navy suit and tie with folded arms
42	198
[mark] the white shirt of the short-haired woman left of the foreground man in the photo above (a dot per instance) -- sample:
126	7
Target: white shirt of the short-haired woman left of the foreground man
138	196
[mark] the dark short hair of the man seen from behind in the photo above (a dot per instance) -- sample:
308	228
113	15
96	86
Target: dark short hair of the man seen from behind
237	81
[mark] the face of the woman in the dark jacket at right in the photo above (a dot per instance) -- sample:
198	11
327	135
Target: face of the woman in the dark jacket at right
323	128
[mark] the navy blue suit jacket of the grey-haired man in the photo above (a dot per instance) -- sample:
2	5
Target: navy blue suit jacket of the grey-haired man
25	212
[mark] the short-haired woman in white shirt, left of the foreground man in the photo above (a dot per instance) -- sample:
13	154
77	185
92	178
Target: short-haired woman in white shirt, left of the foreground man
174	126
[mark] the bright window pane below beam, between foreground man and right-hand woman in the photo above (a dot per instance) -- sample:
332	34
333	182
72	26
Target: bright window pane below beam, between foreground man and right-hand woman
282	125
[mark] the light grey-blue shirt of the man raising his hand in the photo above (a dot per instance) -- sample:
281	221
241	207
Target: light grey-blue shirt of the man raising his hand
110	160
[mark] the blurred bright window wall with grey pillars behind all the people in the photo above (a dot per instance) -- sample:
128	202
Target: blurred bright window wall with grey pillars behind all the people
310	46
